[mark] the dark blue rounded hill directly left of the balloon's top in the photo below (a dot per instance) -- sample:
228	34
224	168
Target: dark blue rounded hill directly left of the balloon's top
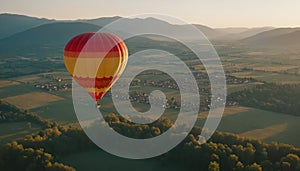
43	40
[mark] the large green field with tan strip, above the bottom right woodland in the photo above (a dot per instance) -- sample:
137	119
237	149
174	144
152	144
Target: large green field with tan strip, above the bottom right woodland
261	122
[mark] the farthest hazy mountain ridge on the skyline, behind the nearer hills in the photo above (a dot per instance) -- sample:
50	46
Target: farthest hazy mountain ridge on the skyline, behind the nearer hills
14	23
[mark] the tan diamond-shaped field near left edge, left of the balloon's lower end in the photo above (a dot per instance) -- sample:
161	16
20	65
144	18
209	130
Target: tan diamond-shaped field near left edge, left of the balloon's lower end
32	100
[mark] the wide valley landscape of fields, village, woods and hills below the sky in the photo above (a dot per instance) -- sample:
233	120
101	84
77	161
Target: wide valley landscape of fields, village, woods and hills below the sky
262	68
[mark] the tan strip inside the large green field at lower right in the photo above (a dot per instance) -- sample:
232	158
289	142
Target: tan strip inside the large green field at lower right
265	132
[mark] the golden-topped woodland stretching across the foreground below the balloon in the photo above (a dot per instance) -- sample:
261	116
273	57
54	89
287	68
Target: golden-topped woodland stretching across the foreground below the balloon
224	151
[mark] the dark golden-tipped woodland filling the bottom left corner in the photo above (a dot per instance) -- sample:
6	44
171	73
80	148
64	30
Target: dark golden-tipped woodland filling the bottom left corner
42	151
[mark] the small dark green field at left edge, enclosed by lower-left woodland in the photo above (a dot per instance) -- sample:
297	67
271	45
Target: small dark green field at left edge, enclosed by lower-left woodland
15	130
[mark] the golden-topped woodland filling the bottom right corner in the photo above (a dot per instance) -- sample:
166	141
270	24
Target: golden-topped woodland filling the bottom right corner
226	151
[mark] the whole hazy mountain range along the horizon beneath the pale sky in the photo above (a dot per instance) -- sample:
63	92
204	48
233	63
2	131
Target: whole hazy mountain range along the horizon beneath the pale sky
21	34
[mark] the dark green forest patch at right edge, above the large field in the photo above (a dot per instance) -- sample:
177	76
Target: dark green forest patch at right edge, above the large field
274	97
